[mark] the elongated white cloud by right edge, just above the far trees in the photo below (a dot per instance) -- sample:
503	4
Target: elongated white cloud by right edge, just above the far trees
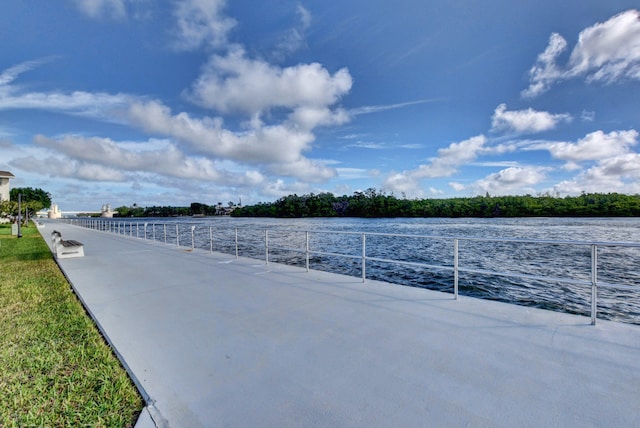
594	146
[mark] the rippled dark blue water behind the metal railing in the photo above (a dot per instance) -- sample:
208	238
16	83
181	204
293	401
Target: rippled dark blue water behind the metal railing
287	241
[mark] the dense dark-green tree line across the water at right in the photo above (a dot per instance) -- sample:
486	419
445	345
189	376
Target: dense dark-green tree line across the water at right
377	204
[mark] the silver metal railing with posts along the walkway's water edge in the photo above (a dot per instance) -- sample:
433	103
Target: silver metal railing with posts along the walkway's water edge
120	227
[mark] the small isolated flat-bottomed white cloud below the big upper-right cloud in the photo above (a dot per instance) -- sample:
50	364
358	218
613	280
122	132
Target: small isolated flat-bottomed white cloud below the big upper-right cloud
525	121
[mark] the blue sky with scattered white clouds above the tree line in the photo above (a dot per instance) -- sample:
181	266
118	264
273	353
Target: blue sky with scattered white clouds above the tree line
171	102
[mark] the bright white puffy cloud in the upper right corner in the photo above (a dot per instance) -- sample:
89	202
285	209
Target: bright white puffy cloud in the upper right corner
606	52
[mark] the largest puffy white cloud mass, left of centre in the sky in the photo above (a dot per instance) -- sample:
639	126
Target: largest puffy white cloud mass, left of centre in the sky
252	88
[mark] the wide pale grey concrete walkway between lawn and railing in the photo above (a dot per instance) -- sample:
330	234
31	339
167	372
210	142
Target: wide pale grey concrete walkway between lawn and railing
215	341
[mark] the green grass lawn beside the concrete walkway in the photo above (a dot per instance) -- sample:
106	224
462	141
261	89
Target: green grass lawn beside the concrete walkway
55	367
